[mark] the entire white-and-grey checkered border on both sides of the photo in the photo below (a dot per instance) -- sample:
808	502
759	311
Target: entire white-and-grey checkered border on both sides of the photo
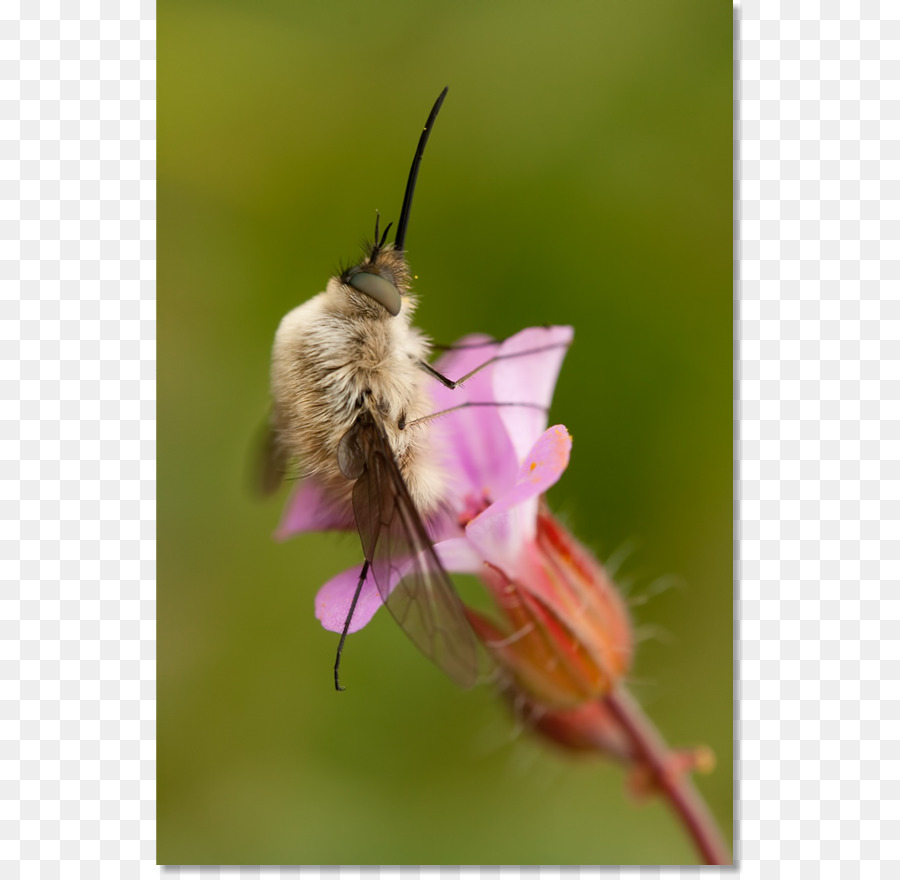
818	325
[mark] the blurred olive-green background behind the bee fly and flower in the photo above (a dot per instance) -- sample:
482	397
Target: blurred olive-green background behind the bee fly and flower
580	173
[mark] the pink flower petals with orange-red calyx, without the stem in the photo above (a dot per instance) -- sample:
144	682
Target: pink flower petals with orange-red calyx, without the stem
561	631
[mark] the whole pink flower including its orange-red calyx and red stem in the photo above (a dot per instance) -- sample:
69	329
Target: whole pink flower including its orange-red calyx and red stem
560	633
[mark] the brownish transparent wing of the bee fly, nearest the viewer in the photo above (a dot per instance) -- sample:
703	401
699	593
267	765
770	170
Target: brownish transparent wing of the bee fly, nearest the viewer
409	576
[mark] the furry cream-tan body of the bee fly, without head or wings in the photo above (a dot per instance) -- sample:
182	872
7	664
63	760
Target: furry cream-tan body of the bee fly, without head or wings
335	359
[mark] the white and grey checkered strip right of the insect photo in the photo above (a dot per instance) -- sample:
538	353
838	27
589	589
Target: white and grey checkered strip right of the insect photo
819	322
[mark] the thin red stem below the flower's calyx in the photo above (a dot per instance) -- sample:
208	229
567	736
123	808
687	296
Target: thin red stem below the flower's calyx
676	786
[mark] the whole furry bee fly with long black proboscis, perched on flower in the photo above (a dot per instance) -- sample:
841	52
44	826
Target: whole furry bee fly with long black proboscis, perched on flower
349	376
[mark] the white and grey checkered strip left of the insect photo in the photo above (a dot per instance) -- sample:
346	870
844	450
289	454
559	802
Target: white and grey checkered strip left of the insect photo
78	225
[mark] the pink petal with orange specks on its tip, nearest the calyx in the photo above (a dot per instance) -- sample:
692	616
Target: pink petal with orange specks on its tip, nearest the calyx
503	528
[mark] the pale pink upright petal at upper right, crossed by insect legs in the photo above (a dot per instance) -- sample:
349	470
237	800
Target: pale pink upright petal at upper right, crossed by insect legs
529	378
